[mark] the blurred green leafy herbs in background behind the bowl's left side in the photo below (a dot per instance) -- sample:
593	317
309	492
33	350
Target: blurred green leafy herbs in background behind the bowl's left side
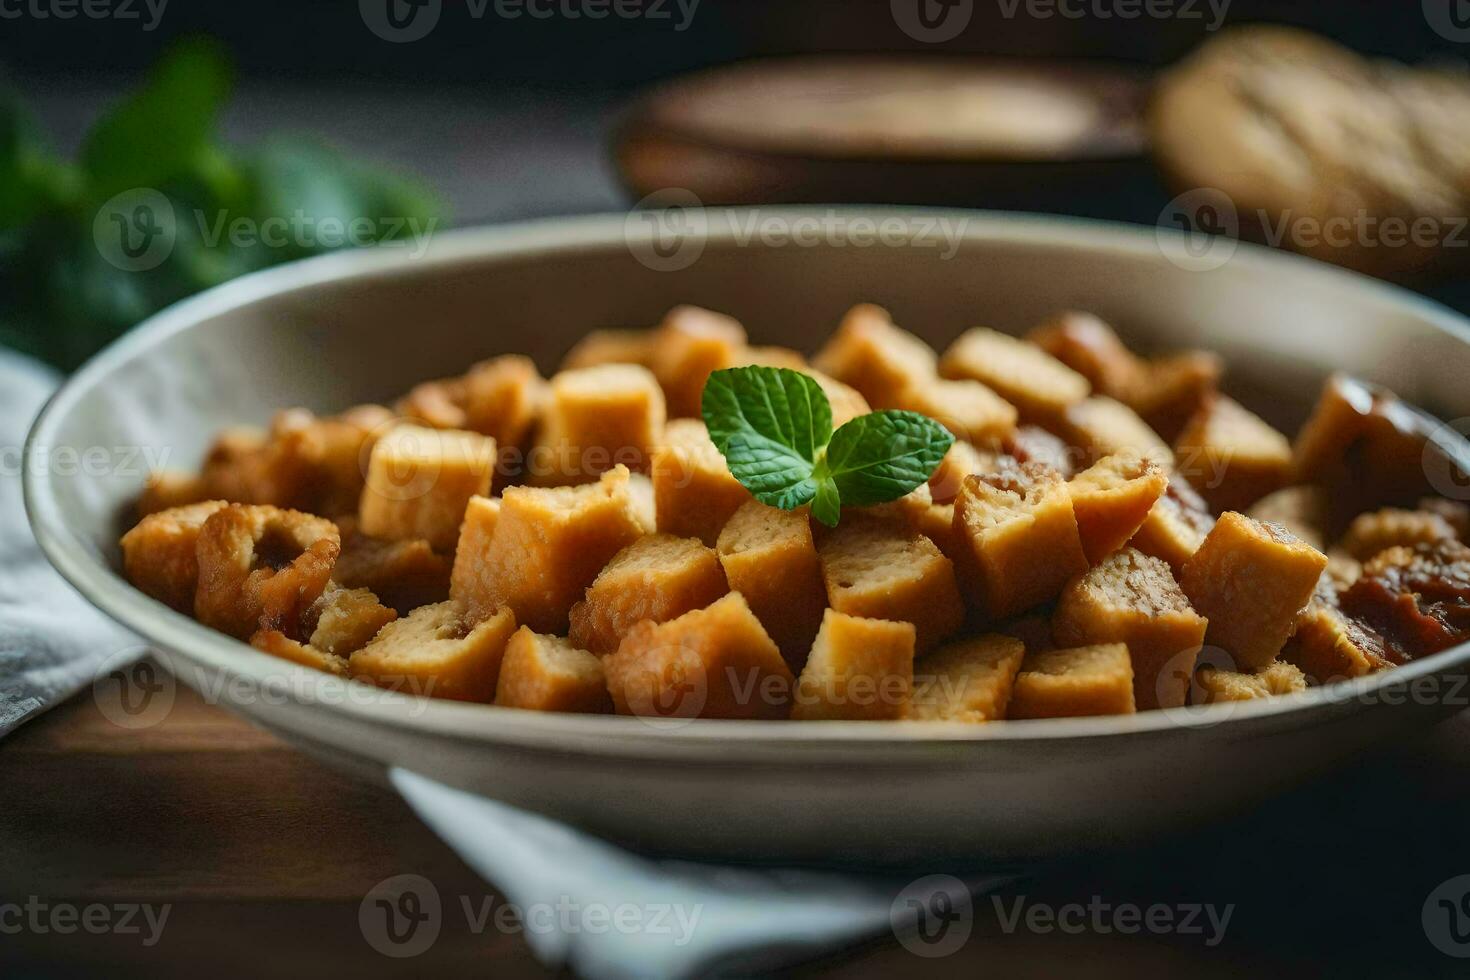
62	300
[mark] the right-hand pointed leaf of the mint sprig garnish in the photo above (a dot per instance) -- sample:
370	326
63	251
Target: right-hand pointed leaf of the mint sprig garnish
883	456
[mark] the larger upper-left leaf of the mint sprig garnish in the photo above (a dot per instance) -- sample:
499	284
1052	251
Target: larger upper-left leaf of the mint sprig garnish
778	405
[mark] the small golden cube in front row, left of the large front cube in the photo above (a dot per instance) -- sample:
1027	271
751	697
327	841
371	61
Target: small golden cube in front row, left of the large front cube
549	674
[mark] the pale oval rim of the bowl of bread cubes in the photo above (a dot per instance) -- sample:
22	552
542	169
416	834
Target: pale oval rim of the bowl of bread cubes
614	735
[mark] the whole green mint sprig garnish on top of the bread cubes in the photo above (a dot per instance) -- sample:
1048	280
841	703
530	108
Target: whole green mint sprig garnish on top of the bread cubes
774	427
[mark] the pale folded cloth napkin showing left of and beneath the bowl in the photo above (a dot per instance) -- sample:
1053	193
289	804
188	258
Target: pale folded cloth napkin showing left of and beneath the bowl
662	919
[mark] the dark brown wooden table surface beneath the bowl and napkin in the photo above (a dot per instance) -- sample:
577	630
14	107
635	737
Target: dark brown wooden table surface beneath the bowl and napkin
264	857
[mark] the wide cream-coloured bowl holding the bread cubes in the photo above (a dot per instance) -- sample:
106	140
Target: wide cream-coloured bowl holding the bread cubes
364	325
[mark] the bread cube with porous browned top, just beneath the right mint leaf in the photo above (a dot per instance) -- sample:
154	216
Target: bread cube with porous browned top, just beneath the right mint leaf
884	571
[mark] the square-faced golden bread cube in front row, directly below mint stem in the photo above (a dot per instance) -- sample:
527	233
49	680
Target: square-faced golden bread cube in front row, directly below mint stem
859	671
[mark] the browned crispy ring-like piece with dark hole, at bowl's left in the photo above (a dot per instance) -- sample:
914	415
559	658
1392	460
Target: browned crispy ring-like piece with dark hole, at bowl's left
262	568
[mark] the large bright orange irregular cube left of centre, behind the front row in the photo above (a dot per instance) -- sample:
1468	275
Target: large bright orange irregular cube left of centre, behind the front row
548	547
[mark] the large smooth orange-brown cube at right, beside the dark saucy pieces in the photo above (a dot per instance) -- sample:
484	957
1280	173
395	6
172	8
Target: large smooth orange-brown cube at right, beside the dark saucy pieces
1252	580
